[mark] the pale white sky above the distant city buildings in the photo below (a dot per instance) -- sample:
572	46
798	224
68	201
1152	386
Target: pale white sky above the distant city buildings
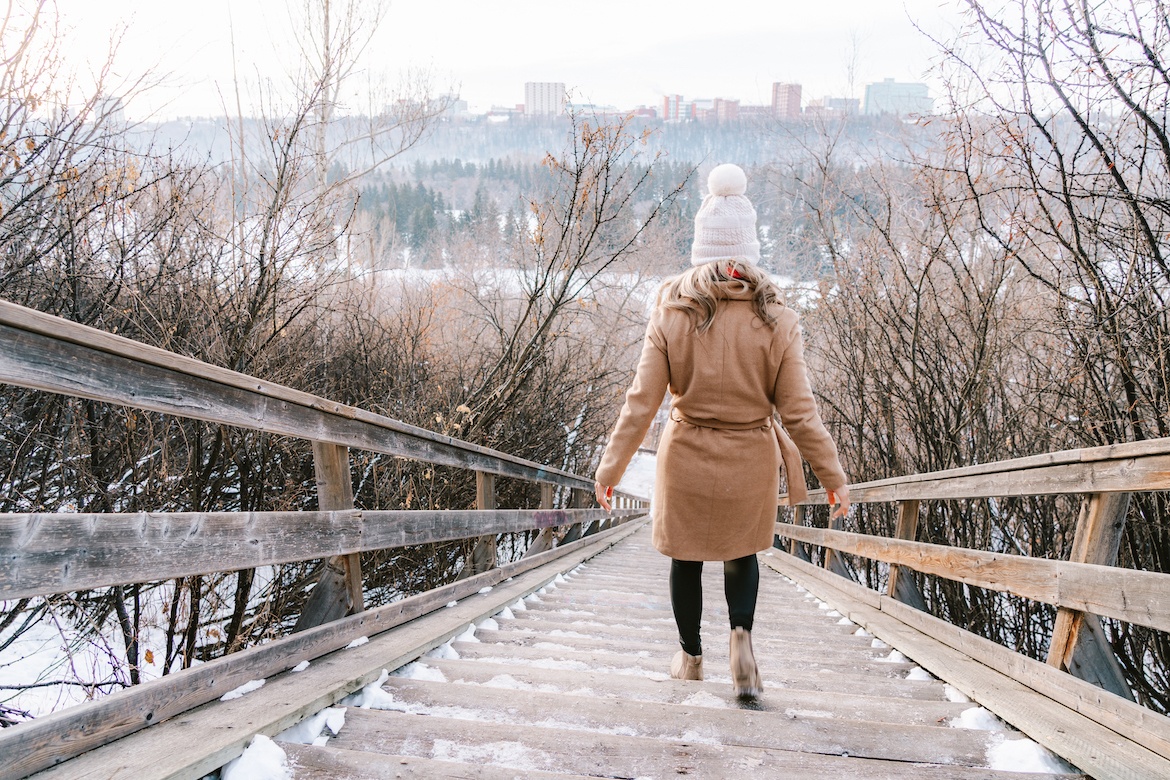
623	53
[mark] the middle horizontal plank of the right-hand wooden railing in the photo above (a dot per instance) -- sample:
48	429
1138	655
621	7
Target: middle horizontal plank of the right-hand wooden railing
1135	597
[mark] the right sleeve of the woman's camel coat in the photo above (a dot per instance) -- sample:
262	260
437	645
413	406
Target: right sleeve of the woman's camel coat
797	408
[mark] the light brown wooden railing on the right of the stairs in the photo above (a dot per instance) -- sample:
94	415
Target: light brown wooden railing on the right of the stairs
1083	589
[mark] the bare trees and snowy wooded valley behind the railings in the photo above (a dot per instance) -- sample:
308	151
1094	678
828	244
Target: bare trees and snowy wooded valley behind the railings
985	284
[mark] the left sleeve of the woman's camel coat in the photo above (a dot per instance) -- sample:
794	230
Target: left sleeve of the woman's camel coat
643	402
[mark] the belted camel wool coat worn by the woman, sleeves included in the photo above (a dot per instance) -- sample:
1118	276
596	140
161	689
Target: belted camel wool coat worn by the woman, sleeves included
718	474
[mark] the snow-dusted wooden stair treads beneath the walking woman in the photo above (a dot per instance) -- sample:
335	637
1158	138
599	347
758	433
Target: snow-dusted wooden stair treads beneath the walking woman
572	682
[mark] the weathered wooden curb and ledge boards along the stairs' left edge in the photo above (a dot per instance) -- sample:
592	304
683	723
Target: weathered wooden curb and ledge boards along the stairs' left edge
210	734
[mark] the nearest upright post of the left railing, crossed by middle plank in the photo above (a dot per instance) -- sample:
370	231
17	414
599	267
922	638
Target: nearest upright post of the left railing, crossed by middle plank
339	592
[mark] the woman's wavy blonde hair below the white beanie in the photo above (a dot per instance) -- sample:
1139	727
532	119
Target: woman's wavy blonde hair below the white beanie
697	291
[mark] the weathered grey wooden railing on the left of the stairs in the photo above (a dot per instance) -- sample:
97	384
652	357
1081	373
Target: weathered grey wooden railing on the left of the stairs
49	554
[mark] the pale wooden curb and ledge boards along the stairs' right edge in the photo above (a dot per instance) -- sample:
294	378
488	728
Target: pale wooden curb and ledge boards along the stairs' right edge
1110	737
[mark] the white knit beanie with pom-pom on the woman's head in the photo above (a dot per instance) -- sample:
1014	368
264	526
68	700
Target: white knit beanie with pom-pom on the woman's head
726	223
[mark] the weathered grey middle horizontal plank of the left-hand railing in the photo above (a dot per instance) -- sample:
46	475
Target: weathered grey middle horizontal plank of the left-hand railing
59	554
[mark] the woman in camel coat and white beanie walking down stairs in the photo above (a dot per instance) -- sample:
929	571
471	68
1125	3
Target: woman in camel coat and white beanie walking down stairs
729	353
